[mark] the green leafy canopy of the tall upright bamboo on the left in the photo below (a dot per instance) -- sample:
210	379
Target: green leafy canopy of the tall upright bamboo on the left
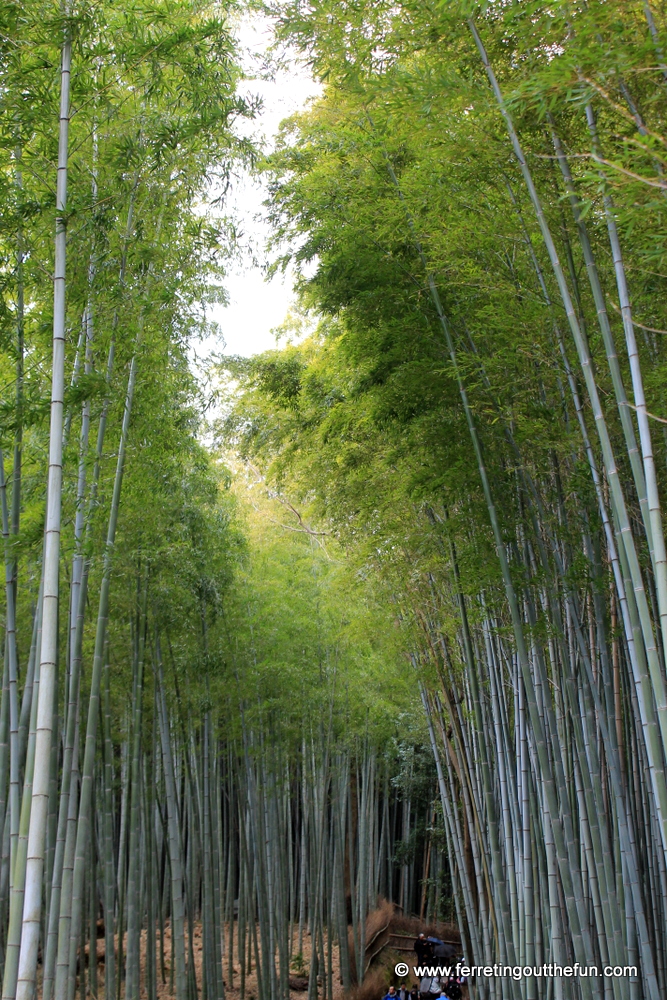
151	143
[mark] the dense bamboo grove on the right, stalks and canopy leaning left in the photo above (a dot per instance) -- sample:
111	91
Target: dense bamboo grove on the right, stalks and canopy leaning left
477	202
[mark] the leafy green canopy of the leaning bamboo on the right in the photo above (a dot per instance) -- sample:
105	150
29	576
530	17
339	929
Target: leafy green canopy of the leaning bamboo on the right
402	171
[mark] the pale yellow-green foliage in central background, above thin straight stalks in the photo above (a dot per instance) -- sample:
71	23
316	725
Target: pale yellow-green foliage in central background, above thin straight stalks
306	642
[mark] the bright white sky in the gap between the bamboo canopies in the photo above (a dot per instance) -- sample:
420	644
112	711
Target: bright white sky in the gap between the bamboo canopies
257	306
